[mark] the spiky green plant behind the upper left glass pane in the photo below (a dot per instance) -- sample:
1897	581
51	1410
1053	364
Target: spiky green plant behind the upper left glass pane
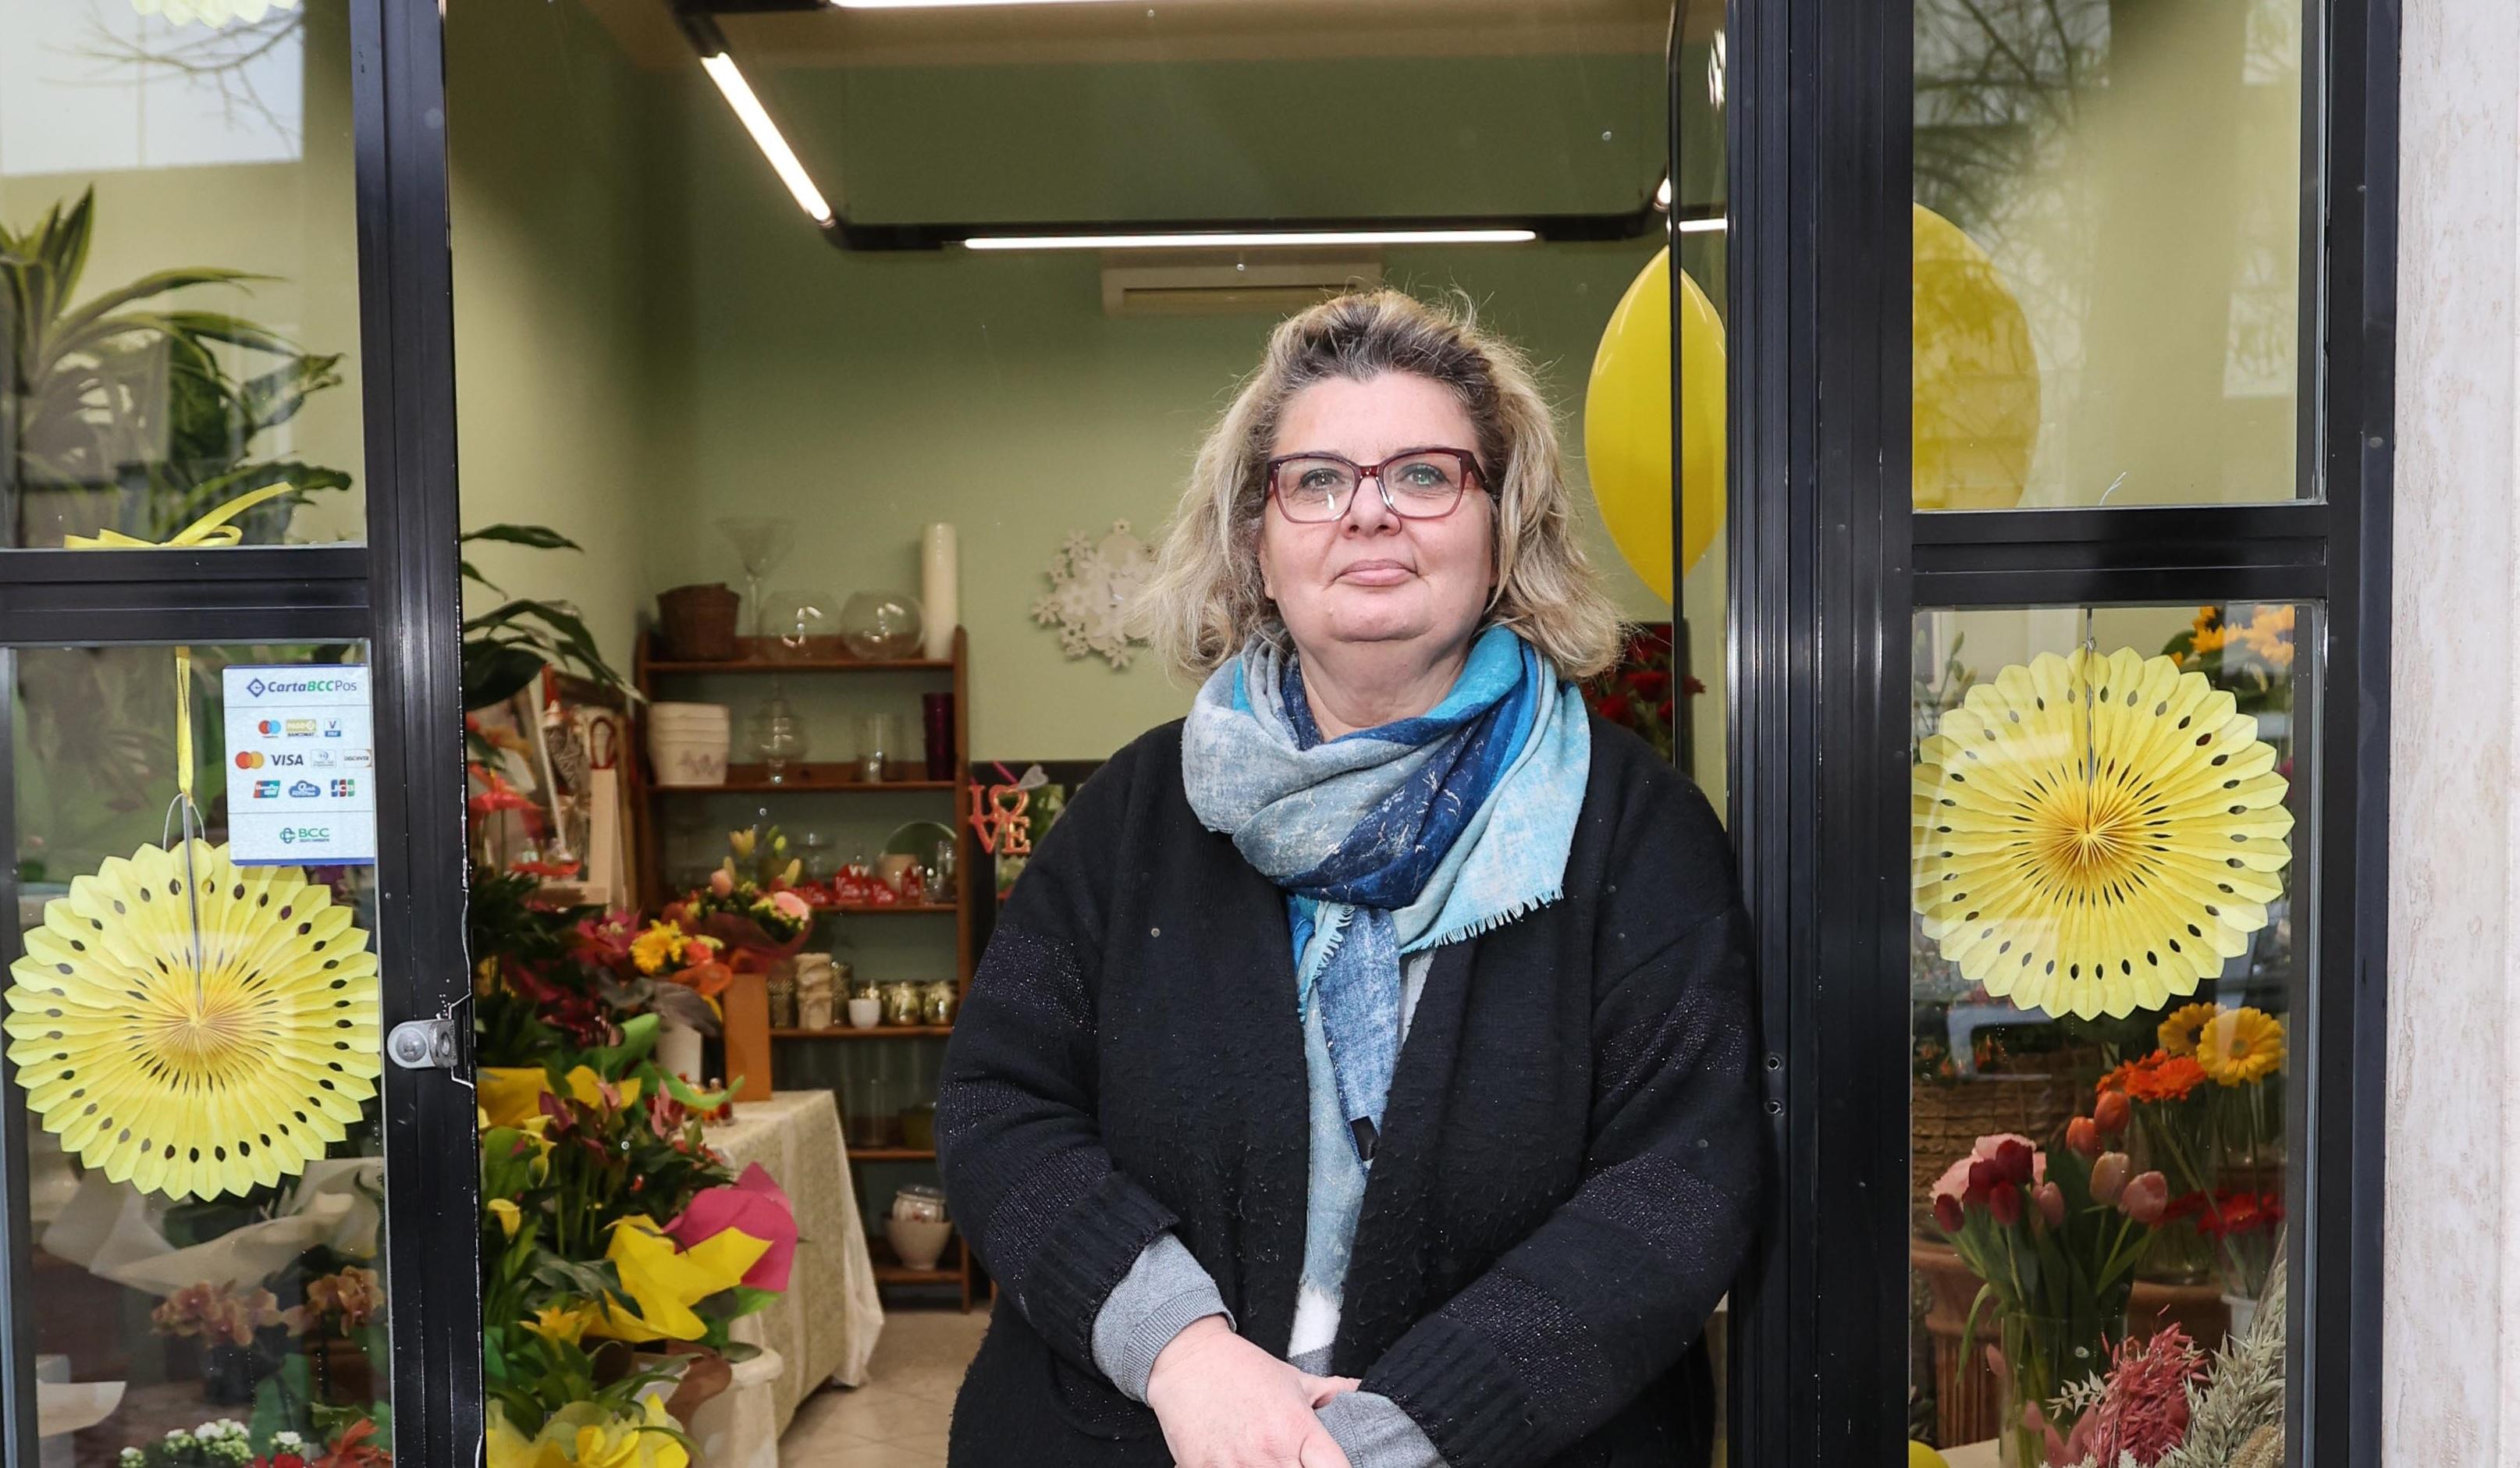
122	412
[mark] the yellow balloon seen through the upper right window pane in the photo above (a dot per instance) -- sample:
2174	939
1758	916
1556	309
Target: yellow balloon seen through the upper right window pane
1977	374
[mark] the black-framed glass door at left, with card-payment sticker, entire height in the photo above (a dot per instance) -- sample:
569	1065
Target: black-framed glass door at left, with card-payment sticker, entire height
233	1092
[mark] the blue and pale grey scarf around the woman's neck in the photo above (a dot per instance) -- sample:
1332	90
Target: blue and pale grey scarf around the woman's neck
1390	840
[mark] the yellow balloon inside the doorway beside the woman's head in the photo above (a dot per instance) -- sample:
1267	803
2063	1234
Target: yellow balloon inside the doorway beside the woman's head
1627	424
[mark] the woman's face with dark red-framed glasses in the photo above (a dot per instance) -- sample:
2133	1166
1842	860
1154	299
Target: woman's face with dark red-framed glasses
1372	575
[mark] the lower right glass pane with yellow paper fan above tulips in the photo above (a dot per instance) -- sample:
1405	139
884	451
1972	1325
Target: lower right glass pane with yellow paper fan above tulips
2105	961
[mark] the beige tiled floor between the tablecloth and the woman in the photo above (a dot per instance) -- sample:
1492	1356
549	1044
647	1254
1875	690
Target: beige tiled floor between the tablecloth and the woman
898	1419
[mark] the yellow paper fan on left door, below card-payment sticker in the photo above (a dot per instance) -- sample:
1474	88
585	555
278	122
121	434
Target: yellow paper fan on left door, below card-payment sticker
195	1084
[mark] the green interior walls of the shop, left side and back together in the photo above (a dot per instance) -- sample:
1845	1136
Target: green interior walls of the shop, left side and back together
654	339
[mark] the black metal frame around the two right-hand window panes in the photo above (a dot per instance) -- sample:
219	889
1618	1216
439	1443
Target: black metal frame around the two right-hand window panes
1828	563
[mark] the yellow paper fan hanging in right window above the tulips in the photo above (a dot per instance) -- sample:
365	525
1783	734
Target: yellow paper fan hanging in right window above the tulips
2095	835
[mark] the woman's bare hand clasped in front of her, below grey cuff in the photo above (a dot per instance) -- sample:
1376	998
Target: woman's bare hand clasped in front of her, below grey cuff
1228	1404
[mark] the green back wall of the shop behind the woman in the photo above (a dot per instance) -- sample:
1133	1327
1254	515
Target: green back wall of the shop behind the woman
871	394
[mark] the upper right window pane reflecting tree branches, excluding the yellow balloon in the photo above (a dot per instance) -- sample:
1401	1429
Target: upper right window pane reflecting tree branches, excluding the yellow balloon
2133	170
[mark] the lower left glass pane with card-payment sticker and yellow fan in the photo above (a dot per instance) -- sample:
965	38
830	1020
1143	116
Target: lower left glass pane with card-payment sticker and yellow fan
195	1059
